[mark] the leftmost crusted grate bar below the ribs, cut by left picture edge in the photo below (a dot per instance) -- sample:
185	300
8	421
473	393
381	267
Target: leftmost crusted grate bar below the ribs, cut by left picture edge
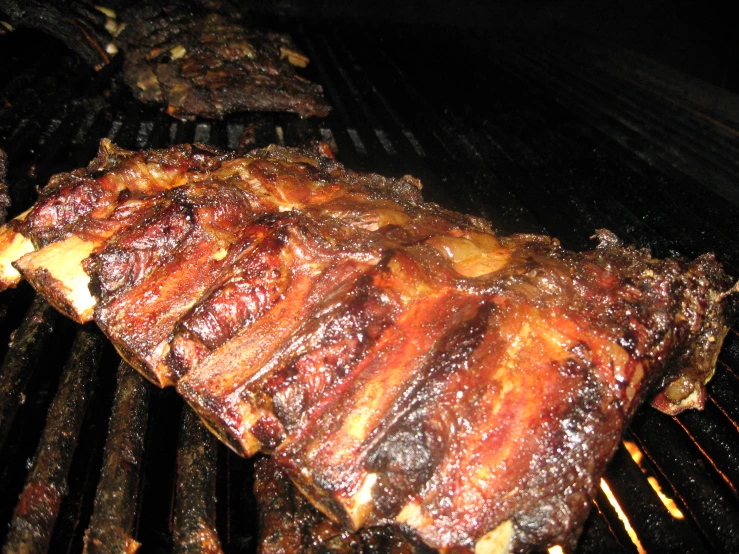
18	365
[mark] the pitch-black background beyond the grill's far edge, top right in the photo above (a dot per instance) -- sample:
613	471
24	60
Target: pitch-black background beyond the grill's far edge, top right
698	38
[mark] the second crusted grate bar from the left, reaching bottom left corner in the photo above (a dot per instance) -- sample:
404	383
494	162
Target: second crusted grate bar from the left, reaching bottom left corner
38	507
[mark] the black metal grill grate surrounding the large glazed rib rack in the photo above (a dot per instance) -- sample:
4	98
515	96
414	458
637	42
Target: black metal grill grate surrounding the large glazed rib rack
548	133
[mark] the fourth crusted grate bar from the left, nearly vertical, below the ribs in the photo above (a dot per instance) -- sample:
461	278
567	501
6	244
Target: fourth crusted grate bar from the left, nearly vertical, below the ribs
195	505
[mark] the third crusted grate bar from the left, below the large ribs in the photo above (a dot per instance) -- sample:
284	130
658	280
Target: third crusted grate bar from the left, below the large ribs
114	514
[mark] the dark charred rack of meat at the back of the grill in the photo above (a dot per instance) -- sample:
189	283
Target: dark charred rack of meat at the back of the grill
199	63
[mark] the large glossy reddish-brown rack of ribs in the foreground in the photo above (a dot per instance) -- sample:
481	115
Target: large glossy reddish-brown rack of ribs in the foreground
403	364
